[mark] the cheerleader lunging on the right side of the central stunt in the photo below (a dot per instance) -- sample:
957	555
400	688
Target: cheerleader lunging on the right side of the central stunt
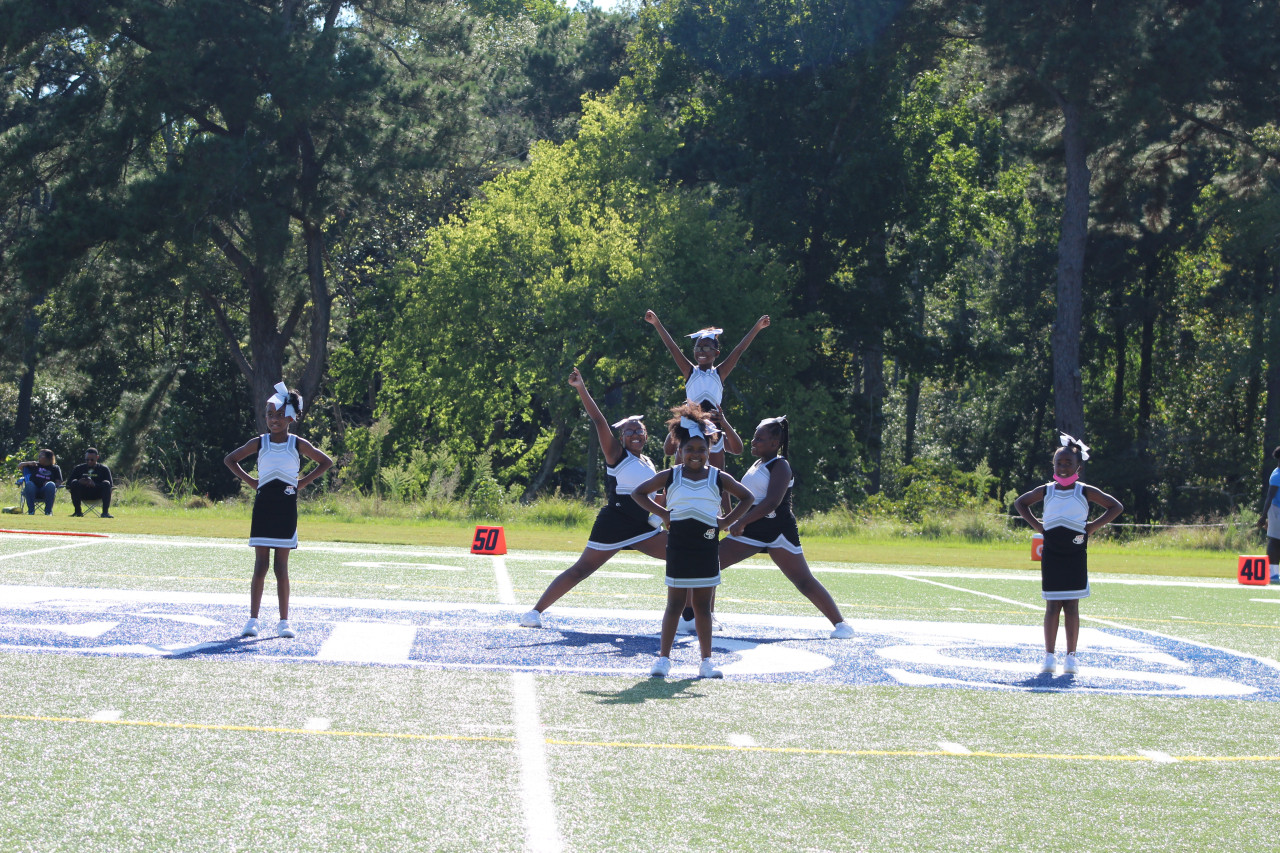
771	527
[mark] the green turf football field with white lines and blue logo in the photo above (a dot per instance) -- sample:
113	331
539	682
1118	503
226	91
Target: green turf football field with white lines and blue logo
413	714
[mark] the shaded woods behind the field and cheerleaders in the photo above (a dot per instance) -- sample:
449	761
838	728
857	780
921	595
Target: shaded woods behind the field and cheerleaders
424	216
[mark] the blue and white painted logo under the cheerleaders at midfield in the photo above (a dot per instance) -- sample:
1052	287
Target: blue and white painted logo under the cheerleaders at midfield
620	644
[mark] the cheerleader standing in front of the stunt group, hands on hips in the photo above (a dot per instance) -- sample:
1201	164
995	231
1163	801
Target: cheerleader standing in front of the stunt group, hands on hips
693	491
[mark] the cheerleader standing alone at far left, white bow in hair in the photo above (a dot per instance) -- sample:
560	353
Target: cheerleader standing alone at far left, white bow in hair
276	500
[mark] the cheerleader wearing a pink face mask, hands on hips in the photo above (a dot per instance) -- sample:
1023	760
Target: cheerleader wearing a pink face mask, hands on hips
1064	559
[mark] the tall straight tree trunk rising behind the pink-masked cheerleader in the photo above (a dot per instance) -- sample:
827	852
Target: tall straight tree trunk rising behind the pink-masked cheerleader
1068	393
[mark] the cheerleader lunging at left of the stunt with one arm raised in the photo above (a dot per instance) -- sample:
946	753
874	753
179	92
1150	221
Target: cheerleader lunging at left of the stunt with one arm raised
620	523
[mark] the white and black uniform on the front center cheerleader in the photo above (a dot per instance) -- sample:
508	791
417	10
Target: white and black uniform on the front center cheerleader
693	541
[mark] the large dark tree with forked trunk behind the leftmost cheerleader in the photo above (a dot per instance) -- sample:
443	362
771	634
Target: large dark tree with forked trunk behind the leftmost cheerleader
244	130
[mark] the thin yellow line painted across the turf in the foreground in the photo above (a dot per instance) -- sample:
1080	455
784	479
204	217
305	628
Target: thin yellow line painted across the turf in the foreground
636	745
